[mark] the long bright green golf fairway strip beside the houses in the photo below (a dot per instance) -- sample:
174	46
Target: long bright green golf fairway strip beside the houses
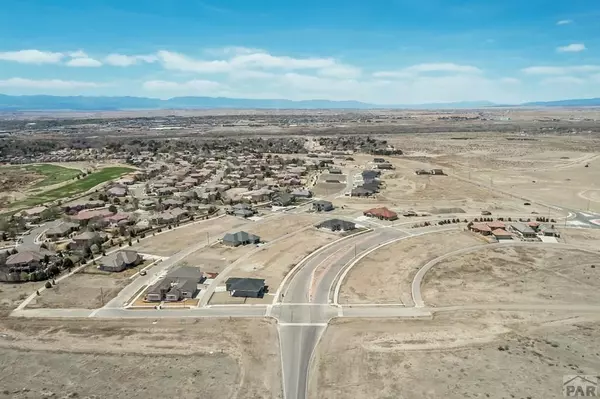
71	189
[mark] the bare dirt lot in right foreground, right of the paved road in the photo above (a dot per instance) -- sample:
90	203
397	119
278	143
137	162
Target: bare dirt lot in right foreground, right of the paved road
455	356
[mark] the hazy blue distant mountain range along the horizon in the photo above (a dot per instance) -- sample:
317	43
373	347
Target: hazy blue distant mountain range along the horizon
88	103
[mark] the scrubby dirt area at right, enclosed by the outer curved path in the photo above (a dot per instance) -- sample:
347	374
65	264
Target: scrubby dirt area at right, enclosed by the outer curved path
515	275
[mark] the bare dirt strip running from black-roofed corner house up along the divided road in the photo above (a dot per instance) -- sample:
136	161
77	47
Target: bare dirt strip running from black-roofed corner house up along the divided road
274	262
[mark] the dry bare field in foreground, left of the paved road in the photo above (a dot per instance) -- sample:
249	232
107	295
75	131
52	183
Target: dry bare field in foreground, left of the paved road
206	358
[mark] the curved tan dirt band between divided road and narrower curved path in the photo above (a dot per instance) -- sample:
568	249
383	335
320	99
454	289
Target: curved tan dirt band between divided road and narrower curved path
385	275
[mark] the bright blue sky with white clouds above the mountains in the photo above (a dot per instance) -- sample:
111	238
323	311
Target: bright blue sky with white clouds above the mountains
379	51
